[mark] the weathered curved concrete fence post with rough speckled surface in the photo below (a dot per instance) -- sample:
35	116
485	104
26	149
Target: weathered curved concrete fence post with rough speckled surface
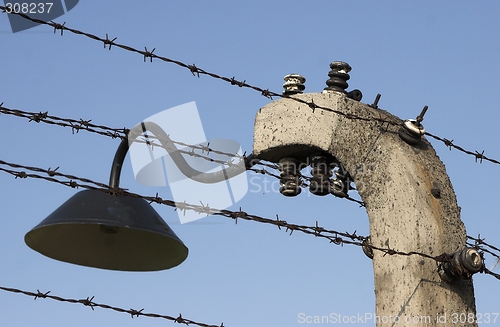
395	181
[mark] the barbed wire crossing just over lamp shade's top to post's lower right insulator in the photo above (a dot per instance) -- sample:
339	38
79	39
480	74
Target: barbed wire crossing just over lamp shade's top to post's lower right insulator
336	237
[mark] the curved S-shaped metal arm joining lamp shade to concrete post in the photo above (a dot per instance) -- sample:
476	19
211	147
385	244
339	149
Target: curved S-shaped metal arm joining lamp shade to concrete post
181	163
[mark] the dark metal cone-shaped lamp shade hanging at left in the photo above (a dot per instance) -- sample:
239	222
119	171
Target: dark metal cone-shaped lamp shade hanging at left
99	230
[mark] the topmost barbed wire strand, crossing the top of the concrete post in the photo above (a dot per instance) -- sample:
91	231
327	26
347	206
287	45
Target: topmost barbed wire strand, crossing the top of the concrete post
197	71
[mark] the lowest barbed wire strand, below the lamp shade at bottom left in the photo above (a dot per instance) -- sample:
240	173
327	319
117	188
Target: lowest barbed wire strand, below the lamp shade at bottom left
89	302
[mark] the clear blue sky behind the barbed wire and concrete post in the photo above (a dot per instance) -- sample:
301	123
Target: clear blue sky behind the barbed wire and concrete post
441	54
